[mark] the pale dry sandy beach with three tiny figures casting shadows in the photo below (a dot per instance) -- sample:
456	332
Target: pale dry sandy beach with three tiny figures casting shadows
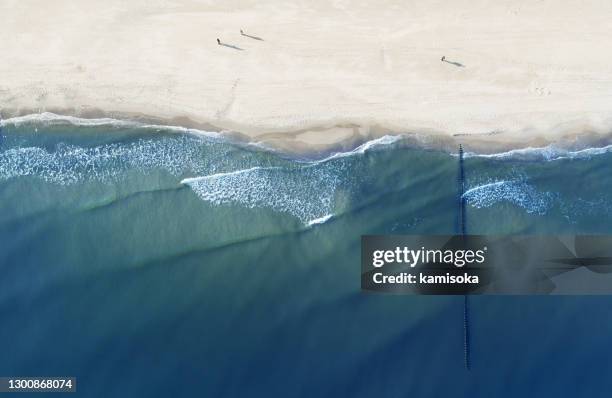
318	74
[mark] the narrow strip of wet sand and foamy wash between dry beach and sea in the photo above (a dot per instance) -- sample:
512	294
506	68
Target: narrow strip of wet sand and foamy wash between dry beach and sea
289	143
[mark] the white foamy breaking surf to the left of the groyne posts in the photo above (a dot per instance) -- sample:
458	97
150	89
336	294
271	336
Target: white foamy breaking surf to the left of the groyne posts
304	189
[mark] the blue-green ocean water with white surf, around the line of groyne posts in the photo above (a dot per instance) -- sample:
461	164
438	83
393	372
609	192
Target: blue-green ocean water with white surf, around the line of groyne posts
158	261
